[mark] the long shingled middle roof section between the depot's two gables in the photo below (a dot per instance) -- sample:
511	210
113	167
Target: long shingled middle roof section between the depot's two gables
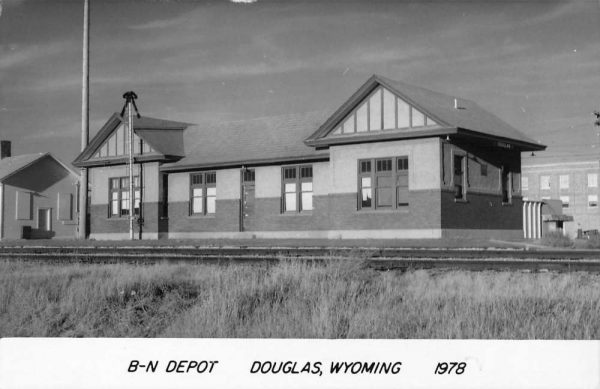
261	140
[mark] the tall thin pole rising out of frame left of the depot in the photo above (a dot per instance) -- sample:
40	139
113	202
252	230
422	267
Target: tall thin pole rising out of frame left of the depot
83	183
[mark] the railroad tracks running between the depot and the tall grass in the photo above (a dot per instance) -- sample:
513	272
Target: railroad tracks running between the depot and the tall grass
377	258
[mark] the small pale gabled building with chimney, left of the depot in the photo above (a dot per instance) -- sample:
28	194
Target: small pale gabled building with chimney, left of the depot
37	196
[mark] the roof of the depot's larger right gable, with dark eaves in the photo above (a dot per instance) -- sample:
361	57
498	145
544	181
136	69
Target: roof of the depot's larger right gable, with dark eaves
468	119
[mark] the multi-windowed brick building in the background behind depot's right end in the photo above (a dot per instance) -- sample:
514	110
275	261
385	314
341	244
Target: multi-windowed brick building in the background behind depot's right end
573	181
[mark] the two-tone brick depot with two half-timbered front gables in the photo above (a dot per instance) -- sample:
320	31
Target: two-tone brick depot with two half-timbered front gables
393	161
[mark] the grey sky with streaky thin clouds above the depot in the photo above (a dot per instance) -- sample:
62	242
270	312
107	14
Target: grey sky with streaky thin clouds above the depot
535	64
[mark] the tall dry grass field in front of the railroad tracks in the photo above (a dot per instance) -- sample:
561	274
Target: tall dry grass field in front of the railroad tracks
342	299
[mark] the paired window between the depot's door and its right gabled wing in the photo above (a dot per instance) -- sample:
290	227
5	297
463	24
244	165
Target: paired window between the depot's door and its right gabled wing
297	188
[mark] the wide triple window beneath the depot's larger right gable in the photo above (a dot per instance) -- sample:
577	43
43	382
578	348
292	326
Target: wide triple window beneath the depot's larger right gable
383	183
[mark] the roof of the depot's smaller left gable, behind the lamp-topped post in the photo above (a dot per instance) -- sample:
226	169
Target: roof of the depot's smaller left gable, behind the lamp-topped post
161	134
